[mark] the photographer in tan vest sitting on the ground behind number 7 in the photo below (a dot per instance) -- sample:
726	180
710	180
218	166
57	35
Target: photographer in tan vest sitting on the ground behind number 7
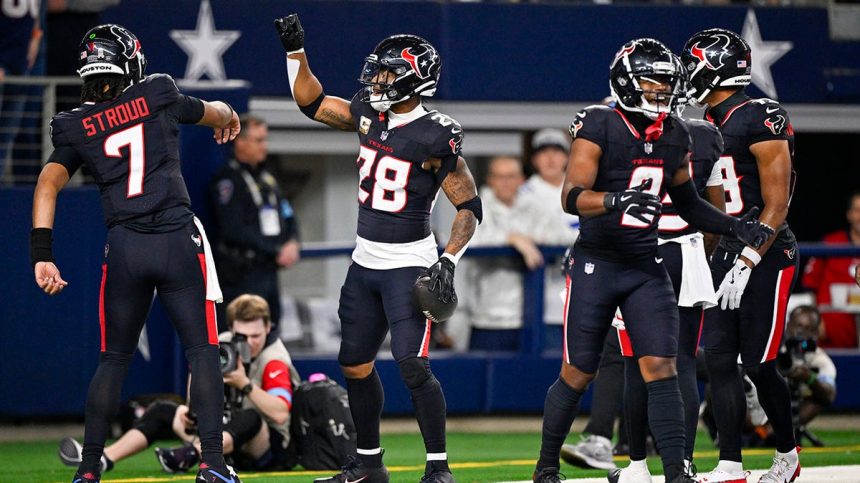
258	431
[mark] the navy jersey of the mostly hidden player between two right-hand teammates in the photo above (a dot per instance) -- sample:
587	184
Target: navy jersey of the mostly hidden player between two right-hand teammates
707	149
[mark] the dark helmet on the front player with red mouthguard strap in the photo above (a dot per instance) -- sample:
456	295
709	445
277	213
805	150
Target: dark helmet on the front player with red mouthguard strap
650	60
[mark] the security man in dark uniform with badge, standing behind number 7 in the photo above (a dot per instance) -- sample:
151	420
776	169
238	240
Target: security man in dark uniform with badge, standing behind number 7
257	228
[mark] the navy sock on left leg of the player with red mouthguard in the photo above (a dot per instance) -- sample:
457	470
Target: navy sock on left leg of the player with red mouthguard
559	411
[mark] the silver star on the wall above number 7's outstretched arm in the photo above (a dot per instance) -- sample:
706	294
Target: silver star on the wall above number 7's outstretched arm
205	46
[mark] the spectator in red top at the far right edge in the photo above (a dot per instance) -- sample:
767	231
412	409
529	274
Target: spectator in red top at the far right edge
833	280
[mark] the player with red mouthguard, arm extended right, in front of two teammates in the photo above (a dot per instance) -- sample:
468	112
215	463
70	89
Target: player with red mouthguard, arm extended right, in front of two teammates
623	160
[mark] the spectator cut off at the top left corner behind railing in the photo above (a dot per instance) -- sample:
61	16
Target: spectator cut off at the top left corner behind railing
19	49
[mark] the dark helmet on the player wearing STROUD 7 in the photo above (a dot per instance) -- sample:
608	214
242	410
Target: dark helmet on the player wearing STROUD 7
111	49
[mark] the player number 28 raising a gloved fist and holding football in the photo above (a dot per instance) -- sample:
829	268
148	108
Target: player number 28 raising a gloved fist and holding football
406	153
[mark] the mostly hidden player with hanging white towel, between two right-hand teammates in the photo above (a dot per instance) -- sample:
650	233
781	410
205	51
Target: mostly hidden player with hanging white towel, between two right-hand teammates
684	251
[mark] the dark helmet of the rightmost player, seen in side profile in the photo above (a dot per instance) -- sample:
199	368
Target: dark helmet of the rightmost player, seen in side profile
716	58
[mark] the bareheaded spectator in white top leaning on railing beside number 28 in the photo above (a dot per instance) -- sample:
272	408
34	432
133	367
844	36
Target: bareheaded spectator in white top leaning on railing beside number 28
517	220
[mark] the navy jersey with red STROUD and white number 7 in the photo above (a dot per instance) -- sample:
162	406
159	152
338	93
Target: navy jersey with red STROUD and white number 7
130	145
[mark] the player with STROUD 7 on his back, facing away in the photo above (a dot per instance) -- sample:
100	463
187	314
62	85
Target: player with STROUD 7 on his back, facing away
125	132
